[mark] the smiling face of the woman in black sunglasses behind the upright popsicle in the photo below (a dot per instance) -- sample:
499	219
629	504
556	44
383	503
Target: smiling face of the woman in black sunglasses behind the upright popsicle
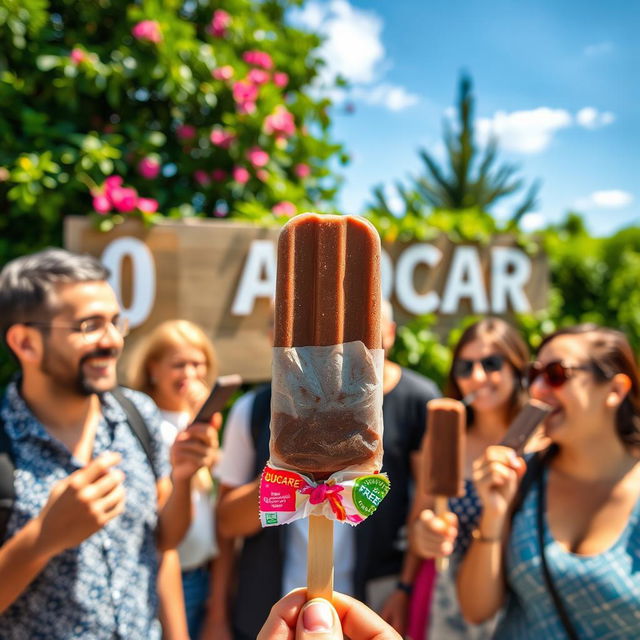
492	384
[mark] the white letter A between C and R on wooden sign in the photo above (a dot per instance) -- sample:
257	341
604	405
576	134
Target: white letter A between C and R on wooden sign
464	281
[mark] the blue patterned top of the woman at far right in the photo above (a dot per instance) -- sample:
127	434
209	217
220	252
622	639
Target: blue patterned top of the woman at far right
601	592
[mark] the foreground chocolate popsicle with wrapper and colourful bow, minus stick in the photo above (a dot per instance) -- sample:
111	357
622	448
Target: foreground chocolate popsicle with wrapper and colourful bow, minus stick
326	407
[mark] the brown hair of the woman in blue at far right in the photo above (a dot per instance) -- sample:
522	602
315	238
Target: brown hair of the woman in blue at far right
609	354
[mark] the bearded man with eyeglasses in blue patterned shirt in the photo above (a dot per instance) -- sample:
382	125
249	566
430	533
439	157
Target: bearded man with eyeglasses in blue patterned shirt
92	510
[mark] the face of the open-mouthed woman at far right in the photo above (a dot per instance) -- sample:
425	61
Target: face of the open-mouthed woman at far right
579	403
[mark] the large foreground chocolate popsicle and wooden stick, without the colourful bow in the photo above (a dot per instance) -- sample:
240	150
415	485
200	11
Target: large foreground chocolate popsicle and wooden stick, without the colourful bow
327	293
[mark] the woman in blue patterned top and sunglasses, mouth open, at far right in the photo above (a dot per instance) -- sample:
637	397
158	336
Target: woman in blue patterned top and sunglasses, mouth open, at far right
566	562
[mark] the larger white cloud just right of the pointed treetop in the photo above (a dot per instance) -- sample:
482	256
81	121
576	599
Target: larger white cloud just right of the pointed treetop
524	131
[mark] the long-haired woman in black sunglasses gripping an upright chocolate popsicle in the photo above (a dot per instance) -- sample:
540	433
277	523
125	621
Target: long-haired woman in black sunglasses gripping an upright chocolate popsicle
487	368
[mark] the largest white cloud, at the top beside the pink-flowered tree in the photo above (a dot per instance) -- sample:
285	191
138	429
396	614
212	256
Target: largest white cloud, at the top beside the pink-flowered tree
353	48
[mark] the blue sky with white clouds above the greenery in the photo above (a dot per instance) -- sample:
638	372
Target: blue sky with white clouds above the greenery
556	82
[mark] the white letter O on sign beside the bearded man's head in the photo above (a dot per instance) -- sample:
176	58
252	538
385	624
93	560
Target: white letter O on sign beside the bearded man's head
143	276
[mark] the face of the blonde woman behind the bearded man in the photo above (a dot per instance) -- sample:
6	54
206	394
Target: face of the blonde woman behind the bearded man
179	377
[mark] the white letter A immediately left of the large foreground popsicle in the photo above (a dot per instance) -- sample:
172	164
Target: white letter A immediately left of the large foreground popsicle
261	260
